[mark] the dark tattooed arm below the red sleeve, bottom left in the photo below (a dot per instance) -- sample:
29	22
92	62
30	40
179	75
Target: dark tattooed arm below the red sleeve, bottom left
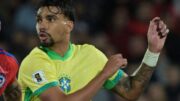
13	92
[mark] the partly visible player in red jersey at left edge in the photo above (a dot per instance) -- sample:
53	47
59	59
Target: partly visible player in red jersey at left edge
9	87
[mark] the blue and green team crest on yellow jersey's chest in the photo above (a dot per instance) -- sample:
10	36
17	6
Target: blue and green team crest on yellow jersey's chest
65	84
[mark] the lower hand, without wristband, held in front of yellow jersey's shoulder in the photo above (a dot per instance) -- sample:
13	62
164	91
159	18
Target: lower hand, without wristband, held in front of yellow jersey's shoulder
114	63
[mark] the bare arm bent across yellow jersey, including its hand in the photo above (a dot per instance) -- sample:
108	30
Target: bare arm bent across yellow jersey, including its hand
86	93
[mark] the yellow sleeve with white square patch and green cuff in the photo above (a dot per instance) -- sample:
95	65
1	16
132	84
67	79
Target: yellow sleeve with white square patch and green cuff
37	75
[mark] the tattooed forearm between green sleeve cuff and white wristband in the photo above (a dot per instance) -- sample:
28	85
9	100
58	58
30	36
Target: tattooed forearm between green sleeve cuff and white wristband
132	86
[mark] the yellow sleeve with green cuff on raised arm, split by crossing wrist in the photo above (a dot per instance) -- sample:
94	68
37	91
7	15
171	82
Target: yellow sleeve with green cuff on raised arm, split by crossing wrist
101	60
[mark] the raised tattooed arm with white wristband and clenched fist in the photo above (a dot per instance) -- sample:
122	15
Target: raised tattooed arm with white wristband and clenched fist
131	87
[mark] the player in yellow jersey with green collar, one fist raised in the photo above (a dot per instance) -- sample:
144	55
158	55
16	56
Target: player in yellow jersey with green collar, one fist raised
59	70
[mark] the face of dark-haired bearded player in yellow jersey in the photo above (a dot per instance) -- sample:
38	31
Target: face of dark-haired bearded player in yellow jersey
51	26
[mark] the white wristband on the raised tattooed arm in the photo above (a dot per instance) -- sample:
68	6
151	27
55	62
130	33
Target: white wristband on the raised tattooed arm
151	58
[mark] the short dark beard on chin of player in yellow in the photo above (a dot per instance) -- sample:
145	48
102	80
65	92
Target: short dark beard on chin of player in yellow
47	43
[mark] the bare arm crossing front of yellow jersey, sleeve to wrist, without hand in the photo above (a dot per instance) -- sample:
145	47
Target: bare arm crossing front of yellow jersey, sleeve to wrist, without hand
84	94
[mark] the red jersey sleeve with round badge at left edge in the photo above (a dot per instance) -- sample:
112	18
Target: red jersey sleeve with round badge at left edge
8	70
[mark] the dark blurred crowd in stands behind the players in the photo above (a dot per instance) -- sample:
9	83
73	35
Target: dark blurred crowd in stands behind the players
113	26
